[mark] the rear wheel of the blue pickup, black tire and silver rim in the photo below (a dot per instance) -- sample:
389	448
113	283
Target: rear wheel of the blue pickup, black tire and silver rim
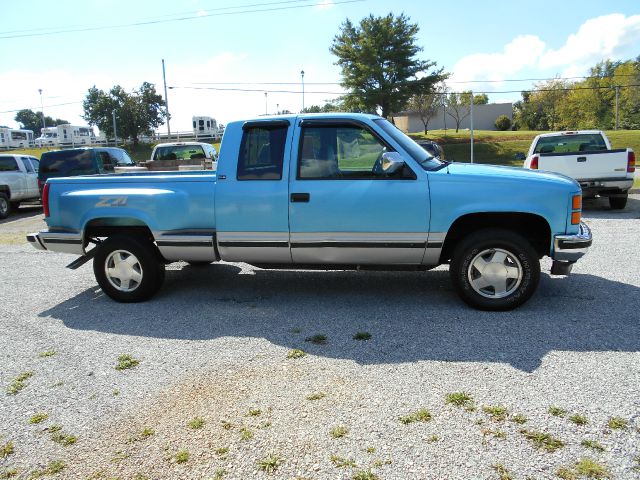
144	267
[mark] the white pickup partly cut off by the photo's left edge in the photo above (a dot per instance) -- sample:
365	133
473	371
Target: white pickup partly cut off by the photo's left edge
18	181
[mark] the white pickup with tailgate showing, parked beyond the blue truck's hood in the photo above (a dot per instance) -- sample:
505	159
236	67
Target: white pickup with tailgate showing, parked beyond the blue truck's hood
586	156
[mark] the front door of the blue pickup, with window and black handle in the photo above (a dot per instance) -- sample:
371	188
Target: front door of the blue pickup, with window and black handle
343	209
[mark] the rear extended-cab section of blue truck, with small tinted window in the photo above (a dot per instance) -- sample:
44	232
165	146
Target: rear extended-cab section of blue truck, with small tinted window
252	211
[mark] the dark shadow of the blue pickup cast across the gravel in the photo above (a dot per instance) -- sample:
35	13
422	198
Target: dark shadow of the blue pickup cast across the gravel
410	316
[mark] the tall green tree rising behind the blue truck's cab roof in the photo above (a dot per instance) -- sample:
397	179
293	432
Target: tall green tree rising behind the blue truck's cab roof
379	63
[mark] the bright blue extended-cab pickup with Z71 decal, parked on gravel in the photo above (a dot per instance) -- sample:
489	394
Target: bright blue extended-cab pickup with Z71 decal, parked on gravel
329	191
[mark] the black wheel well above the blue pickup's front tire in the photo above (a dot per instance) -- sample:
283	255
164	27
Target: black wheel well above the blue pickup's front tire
532	227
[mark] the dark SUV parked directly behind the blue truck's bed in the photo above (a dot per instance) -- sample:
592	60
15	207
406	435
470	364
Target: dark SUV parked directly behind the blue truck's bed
81	161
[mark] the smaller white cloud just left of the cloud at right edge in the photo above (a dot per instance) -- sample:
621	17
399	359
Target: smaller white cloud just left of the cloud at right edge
522	52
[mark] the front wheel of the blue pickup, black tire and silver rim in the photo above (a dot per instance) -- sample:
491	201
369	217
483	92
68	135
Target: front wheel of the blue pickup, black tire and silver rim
485	247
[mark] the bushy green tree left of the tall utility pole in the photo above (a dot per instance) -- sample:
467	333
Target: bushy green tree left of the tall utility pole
137	113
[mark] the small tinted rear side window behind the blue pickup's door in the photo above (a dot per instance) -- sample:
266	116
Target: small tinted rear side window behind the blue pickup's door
262	153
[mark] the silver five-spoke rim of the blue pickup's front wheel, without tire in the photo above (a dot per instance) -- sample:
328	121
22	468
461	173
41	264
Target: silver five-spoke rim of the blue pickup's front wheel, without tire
495	273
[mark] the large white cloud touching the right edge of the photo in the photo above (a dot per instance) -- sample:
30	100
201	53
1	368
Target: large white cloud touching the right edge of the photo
611	36
